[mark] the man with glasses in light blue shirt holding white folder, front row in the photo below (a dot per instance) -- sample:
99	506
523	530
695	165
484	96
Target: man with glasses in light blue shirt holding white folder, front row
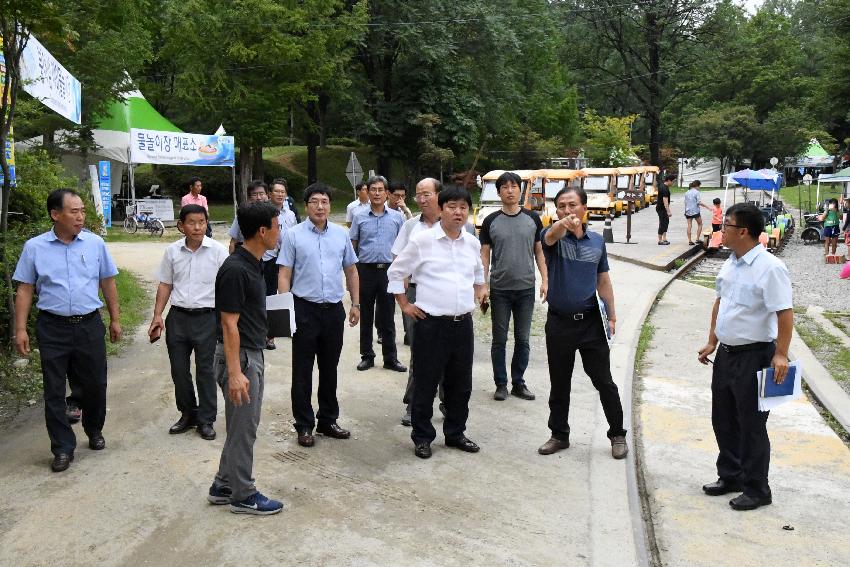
312	259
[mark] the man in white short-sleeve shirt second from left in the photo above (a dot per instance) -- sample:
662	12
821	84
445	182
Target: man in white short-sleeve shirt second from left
187	276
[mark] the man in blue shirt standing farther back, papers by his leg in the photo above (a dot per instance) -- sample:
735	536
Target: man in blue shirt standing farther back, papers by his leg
372	233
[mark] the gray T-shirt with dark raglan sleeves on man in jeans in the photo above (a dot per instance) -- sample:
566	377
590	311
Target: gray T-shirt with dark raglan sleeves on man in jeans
512	239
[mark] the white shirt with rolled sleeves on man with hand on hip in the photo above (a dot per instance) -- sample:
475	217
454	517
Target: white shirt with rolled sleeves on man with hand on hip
445	271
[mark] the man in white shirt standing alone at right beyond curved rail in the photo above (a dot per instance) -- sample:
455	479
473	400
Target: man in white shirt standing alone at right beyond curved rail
751	322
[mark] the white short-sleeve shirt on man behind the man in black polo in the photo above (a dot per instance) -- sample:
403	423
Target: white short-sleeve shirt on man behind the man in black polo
192	274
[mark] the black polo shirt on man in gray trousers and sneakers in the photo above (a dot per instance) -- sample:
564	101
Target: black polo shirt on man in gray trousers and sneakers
240	288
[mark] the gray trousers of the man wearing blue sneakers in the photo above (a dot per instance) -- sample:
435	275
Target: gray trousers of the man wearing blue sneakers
237	455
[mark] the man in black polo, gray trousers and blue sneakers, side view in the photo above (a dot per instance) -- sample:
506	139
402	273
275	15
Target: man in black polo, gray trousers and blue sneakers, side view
240	308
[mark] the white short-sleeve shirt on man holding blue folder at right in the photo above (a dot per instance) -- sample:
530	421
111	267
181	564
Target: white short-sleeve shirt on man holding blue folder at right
751	290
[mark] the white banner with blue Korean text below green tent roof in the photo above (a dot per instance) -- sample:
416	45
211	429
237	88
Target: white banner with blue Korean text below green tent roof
151	146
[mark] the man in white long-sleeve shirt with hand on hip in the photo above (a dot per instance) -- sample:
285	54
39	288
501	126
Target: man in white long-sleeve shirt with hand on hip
445	262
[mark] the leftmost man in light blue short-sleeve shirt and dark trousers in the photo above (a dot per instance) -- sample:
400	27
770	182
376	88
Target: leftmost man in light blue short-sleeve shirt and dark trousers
66	266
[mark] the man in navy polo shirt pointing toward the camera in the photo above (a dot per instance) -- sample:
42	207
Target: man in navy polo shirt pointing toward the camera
577	265
